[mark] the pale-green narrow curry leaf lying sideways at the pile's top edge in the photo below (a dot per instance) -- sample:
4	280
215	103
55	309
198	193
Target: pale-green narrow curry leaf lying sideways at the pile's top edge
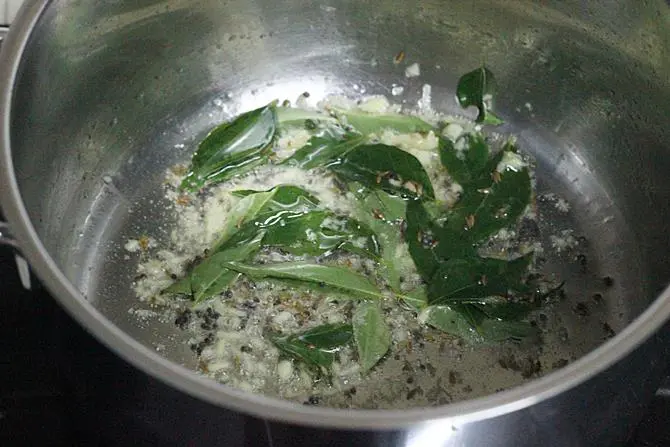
369	123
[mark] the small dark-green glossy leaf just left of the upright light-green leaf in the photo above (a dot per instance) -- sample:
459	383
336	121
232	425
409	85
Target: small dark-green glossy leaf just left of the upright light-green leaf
317	346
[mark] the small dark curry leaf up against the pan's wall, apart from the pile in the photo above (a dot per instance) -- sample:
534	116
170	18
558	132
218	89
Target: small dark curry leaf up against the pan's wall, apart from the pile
477	88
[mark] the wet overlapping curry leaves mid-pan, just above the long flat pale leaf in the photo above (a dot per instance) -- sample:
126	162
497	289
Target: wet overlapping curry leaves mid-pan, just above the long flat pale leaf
284	217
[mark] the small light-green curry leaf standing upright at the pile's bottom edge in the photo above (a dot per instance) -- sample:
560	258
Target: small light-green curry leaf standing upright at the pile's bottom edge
372	335
